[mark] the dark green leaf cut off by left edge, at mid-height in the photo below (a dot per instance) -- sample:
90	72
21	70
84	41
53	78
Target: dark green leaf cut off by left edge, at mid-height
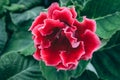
3	34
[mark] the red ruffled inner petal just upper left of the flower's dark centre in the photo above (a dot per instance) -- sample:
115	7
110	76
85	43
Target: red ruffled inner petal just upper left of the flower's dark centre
50	25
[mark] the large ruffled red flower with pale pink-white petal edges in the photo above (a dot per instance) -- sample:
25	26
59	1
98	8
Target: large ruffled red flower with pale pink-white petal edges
61	40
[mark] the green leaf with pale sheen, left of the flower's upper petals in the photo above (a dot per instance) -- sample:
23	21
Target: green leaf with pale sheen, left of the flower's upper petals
26	18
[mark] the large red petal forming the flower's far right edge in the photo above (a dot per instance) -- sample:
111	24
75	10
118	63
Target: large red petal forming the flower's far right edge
91	42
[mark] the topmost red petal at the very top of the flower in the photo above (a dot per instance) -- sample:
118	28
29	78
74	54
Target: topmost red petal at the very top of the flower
54	6
